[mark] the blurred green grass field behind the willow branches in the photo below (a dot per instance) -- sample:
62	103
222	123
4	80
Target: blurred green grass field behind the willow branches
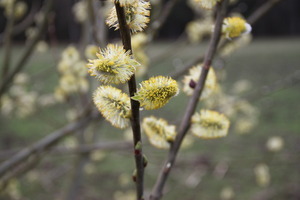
263	62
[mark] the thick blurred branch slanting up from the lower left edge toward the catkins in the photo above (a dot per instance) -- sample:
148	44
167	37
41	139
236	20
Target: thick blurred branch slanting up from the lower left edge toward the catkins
45	143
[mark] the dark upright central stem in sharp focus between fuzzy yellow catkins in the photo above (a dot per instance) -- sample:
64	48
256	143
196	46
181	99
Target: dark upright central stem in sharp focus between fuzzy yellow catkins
135	105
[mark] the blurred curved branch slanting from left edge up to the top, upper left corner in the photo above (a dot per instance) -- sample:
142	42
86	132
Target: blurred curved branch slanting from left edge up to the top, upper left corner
24	58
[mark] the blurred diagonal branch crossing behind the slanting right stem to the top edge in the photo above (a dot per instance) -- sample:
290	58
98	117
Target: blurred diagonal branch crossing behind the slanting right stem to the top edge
252	19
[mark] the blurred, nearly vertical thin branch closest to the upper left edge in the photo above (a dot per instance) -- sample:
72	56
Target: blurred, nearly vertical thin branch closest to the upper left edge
7	41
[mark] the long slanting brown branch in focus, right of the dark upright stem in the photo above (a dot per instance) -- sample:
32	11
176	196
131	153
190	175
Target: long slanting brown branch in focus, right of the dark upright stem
185	124
